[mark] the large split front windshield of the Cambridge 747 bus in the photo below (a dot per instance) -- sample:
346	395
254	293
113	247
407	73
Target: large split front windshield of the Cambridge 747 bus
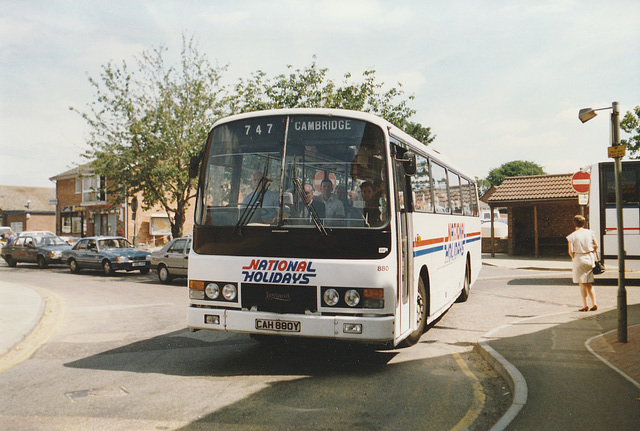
298	171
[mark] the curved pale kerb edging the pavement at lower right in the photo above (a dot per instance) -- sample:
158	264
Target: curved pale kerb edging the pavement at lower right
511	375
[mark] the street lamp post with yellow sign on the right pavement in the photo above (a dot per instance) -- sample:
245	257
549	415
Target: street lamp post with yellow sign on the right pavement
584	116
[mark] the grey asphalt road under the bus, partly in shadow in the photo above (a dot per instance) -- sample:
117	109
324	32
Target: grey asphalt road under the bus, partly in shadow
119	357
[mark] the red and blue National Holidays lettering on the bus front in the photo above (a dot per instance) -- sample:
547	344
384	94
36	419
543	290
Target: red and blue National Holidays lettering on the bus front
277	271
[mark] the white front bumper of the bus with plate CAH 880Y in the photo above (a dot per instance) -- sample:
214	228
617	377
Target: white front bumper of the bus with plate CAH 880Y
356	328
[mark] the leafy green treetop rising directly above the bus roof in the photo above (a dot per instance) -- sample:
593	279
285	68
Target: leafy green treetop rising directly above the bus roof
311	88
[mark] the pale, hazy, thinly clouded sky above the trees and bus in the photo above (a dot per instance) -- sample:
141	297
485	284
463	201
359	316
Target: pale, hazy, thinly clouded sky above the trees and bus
495	80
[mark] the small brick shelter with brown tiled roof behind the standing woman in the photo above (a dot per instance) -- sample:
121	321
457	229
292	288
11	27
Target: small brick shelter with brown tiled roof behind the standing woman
540	211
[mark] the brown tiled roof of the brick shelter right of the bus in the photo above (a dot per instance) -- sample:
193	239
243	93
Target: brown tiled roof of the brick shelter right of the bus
534	188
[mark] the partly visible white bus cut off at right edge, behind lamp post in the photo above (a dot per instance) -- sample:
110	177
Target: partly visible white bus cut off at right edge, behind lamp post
602	210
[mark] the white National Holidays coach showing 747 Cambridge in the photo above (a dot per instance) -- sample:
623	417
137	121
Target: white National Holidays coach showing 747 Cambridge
330	224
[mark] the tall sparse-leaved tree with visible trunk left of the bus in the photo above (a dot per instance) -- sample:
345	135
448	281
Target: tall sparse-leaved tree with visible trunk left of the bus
146	124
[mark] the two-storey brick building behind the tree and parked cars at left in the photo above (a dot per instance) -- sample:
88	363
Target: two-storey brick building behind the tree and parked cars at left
84	209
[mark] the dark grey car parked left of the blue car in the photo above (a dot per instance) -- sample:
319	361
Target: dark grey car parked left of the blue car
40	249
